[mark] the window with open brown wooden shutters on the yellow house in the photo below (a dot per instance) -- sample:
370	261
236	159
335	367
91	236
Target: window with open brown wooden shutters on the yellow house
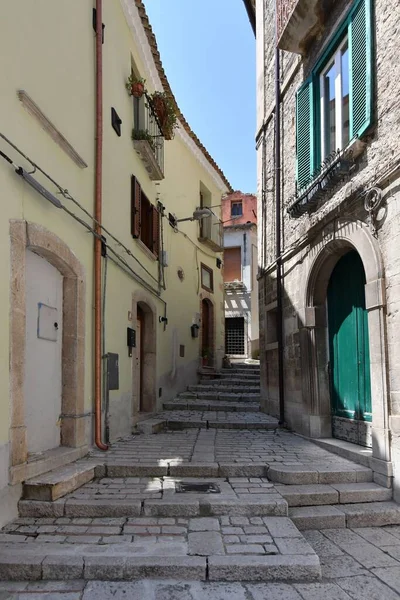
145	218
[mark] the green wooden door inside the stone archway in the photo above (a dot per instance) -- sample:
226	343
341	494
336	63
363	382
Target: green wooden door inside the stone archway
349	351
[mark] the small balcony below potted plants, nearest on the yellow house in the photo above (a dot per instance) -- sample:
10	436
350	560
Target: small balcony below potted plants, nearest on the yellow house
148	139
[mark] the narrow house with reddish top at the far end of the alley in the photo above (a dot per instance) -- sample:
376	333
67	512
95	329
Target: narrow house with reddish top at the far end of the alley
239	217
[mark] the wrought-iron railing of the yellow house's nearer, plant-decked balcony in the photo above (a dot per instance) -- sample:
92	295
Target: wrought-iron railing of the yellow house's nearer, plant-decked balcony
147	127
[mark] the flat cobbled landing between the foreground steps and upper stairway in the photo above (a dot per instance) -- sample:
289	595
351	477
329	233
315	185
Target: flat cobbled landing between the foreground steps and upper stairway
221	446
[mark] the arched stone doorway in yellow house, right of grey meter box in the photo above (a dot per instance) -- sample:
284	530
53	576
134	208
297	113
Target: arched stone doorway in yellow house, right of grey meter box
144	363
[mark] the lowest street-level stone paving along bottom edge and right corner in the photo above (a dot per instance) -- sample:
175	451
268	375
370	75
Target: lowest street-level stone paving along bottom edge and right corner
357	564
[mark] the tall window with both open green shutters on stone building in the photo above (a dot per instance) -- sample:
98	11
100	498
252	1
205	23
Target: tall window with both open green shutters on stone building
334	105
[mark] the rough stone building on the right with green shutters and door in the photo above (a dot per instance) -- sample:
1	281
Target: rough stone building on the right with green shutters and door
328	113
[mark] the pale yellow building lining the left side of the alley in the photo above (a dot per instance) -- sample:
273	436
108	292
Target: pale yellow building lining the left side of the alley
160	281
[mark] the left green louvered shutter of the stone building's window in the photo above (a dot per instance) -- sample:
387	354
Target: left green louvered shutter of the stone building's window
304	132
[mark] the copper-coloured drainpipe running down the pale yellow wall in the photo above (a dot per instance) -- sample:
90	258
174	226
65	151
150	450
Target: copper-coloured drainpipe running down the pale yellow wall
97	216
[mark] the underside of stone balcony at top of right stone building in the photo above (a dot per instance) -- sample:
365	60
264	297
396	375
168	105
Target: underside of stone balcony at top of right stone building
299	22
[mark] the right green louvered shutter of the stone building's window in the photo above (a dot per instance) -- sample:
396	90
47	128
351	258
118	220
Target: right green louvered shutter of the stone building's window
360	47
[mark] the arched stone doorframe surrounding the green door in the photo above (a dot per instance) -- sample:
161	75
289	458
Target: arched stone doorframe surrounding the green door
337	239
